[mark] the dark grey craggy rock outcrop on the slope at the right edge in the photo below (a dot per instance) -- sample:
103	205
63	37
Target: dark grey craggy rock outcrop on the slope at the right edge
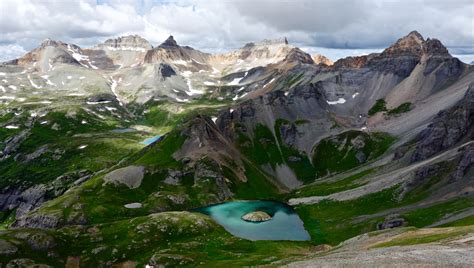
447	128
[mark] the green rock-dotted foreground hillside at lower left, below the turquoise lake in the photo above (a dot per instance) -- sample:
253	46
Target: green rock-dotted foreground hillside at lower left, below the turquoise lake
169	238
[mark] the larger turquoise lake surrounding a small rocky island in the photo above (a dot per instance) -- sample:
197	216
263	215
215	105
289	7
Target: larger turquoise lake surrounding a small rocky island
284	225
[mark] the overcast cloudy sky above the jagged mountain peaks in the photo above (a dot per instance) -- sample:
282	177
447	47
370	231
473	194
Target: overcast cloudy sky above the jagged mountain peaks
335	28
